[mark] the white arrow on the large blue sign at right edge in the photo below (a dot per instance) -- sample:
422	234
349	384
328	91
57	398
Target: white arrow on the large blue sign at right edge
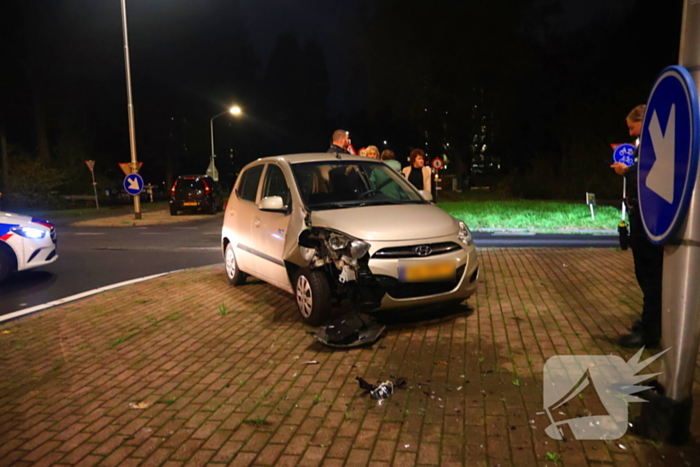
660	178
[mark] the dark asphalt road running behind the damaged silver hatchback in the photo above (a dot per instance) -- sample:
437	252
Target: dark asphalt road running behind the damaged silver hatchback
93	257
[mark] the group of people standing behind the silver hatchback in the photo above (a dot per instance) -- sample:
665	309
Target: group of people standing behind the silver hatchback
417	173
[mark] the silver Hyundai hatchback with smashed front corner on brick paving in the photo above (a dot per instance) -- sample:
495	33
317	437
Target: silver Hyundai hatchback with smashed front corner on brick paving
329	227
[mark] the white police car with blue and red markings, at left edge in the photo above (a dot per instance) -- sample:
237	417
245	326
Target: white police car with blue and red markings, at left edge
25	243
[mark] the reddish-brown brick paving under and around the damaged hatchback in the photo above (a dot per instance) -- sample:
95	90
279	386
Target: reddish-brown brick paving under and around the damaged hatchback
219	373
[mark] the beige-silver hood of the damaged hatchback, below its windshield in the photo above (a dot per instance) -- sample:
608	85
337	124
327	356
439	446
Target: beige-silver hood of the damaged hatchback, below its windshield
388	223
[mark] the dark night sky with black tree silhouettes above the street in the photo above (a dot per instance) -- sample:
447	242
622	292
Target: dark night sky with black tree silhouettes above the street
63	66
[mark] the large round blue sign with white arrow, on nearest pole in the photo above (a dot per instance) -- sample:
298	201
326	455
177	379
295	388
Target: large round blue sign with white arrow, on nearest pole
668	153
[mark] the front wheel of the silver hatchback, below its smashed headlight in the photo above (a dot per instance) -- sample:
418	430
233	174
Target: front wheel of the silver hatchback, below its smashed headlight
313	296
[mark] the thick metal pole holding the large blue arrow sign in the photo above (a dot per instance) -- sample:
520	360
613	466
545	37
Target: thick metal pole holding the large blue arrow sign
667	416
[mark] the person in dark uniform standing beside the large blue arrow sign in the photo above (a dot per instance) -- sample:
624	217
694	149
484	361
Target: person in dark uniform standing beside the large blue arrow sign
648	257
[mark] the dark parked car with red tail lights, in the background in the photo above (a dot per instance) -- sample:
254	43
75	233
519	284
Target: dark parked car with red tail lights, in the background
196	193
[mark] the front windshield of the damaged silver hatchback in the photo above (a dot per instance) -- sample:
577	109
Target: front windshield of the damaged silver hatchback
342	184
